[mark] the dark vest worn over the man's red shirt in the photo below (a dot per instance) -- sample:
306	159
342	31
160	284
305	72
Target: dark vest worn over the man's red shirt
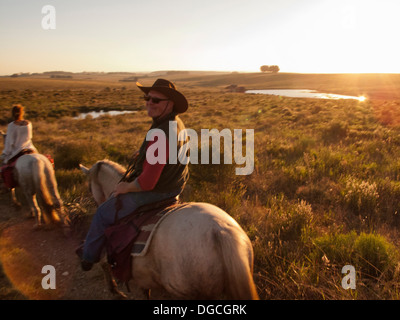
173	176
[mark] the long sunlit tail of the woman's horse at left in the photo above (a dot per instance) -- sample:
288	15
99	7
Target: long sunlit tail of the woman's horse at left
46	186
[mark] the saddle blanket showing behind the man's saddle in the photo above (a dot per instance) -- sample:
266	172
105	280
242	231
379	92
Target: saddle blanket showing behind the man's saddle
151	221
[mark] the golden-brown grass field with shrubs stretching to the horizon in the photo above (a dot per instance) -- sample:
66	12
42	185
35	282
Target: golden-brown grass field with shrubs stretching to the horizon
325	191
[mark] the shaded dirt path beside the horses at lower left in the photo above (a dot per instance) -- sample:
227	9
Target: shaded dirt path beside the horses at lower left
25	251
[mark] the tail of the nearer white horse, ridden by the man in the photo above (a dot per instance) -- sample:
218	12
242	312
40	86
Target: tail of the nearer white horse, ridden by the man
237	256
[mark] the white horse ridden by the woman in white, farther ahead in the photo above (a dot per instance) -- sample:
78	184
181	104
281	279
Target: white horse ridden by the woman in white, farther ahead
35	175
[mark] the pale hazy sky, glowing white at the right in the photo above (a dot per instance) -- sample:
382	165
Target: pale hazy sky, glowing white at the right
305	36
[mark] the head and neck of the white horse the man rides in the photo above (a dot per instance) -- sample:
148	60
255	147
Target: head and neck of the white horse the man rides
103	177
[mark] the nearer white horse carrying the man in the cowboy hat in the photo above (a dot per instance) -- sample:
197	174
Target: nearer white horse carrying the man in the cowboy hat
197	252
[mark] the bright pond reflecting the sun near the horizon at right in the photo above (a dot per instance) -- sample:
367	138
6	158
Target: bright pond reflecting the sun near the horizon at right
304	93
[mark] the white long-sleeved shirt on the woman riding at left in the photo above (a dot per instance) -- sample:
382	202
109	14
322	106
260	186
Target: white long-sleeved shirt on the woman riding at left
19	137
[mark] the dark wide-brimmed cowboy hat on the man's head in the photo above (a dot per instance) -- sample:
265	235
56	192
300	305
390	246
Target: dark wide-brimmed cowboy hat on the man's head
167	88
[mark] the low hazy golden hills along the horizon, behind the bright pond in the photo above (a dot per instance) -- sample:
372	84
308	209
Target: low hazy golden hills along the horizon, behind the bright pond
373	86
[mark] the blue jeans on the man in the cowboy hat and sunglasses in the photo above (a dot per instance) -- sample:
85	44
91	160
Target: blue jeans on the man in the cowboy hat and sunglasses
105	217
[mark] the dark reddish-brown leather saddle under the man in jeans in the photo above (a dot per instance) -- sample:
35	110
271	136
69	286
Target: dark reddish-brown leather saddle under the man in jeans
121	236
